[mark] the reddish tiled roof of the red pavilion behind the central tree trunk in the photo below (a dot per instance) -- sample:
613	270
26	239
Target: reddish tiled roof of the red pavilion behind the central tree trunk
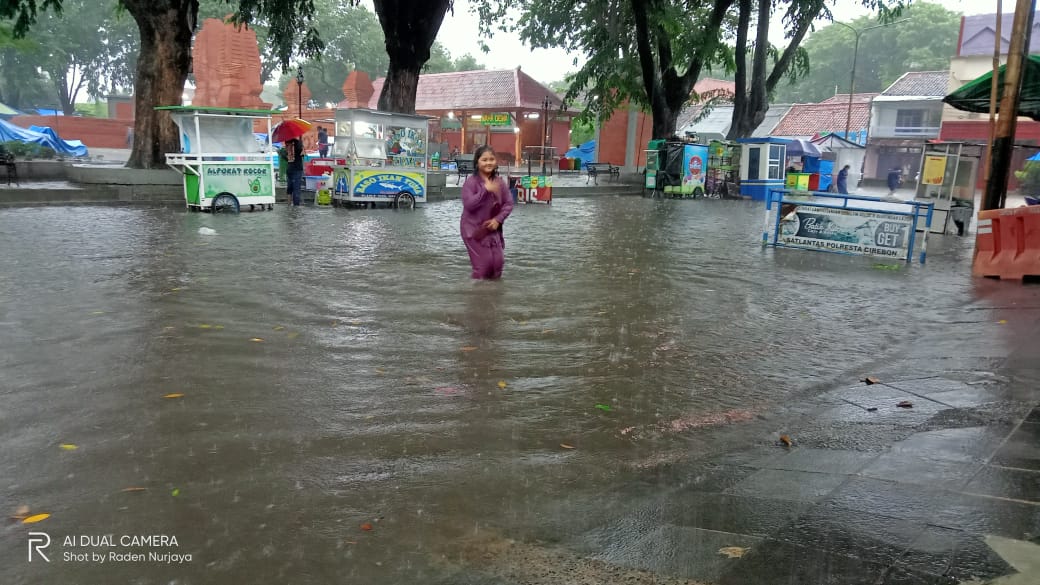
504	90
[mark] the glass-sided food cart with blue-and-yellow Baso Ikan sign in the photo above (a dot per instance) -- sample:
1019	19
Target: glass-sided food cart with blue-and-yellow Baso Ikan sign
386	159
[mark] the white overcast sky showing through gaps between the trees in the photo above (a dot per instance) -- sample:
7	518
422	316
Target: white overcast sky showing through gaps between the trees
459	34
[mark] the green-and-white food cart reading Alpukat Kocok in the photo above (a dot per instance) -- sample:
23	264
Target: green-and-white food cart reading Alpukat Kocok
225	167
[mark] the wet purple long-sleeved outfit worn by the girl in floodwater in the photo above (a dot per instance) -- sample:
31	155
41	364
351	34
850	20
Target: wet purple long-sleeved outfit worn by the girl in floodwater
479	206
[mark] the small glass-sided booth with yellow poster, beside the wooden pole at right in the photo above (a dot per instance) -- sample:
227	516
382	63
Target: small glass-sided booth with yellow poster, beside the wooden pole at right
948	185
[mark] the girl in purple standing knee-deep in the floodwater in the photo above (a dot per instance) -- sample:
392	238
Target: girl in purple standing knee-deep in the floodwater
486	202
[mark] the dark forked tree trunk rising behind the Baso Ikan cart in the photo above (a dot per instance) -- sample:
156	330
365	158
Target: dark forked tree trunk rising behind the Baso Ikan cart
410	29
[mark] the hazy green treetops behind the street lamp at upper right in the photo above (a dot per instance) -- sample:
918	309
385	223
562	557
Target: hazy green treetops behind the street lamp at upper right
924	43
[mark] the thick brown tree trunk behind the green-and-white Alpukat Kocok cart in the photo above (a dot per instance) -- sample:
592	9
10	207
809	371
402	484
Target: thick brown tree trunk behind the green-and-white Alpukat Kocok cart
163	68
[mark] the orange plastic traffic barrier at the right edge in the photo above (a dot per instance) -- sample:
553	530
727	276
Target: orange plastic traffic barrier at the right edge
1008	244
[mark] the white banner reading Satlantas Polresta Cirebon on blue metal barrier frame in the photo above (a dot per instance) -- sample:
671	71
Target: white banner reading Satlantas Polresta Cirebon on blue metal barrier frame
848	231
